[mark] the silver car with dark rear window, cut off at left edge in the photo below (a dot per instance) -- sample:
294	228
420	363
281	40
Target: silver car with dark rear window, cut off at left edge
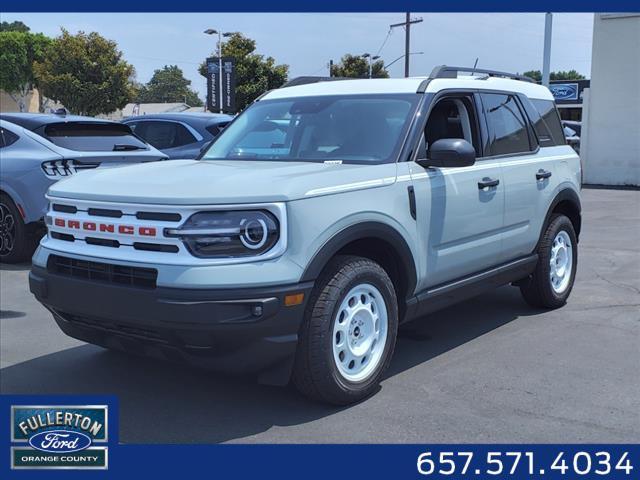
37	150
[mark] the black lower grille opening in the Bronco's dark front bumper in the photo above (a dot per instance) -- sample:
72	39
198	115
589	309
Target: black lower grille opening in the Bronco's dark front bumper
103	272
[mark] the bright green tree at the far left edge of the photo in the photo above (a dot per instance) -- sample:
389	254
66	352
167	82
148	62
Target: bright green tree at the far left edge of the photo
18	53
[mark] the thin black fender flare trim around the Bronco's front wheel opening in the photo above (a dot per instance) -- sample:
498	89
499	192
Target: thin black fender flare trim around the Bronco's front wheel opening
360	231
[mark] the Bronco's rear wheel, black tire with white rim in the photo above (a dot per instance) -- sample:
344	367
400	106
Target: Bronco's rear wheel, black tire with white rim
552	280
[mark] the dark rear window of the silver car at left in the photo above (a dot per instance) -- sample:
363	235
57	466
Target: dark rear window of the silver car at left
93	137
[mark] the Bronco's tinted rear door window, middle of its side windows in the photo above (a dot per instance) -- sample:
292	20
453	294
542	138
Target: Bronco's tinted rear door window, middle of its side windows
508	127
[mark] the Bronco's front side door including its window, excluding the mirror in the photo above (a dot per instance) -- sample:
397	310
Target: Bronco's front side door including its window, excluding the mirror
459	210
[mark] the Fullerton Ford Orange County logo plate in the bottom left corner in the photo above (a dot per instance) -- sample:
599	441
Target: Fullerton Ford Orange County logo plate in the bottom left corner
59	437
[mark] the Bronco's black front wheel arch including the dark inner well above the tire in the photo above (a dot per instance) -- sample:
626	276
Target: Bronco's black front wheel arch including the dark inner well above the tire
378	241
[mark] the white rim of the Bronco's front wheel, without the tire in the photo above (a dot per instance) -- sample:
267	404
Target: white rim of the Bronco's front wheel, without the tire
360	330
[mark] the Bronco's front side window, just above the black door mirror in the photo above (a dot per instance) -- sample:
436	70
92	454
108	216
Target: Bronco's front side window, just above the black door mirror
452	117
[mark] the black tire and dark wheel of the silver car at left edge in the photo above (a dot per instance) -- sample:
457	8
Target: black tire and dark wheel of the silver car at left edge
17	242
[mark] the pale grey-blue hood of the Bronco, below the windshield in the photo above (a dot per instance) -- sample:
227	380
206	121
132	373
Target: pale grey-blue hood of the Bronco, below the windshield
199	182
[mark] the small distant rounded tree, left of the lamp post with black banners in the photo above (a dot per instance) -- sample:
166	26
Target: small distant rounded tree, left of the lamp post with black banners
168	85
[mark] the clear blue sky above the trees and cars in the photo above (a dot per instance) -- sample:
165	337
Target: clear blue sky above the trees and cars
307	41
